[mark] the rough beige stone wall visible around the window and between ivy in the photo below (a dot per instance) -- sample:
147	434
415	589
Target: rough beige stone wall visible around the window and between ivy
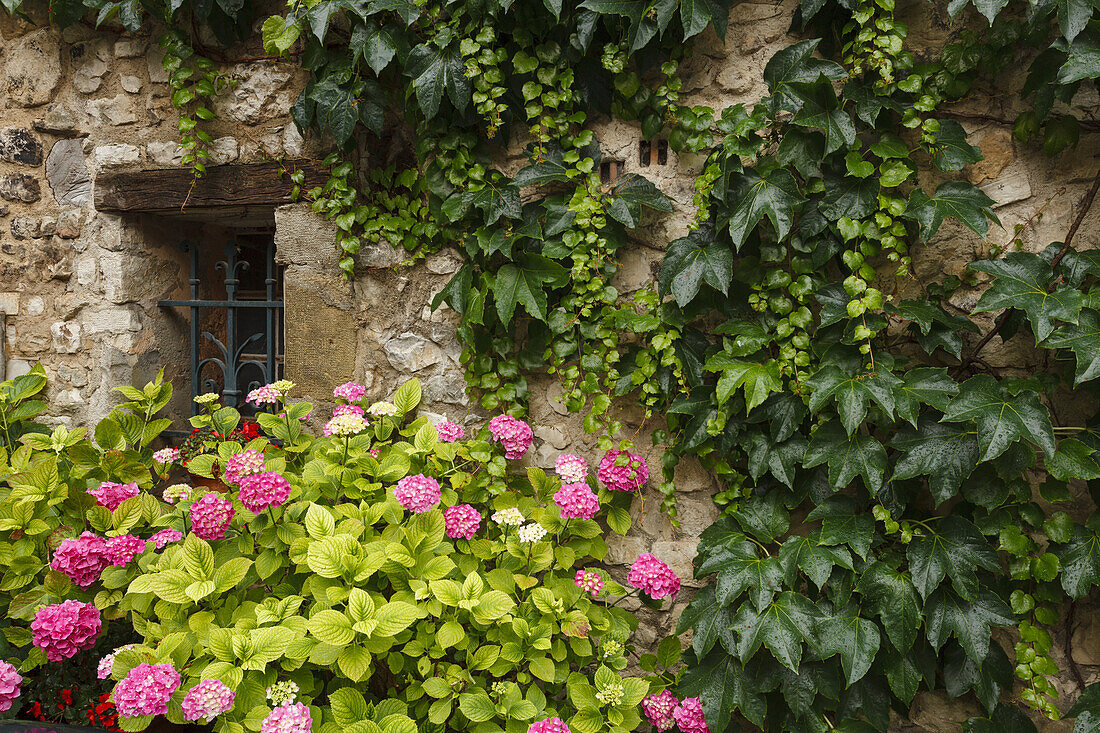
79	288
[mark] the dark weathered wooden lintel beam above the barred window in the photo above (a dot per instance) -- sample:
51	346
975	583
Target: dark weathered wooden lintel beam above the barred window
162	191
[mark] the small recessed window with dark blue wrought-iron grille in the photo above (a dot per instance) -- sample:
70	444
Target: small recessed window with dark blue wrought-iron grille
237	331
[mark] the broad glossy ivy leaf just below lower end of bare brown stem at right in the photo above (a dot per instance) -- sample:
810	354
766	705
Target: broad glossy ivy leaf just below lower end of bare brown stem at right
1002	419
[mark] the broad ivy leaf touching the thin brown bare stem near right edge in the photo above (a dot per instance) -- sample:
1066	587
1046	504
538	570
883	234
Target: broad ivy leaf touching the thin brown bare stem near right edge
1022	281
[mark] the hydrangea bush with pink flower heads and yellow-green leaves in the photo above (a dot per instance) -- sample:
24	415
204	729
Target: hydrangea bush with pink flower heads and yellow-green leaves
381	578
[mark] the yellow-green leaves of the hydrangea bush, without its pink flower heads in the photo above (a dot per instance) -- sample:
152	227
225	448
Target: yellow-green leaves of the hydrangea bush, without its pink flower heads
378	616
